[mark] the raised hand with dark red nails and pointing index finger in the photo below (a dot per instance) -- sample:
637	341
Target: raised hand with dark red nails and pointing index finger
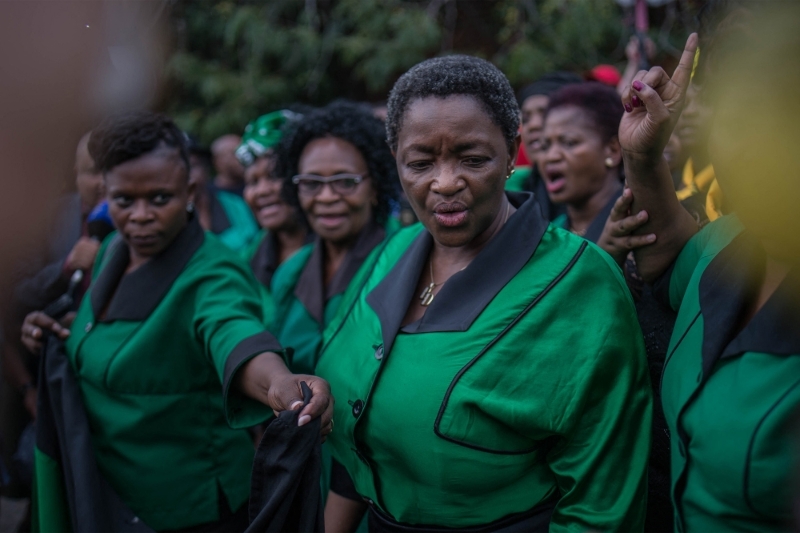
653	103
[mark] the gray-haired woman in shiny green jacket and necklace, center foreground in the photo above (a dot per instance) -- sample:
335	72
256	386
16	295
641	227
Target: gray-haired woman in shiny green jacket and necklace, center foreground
489	368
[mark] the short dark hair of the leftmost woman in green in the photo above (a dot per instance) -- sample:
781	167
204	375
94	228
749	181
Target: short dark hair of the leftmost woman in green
130	135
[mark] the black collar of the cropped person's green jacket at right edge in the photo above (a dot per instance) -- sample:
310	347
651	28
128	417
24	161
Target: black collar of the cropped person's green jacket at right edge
728	286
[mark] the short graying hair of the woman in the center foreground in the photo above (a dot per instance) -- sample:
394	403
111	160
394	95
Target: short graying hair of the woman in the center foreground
455	75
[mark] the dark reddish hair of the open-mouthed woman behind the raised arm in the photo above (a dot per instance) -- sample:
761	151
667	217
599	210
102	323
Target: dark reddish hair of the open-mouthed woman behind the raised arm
600	102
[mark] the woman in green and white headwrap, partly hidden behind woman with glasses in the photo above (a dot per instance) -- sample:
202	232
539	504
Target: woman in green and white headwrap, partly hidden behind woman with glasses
283	228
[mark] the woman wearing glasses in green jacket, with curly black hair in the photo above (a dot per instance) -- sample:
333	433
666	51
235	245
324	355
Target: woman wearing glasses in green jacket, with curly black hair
343	179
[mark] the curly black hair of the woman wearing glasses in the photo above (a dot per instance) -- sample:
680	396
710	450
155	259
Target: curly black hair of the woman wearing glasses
355	124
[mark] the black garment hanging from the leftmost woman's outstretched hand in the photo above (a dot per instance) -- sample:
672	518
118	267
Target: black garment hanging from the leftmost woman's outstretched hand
285	492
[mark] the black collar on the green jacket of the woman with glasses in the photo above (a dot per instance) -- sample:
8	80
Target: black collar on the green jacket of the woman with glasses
310	288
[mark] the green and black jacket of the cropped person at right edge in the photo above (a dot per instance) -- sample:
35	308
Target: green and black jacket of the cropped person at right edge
730	395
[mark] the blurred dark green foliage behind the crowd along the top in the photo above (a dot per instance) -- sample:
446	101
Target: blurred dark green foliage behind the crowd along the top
232	60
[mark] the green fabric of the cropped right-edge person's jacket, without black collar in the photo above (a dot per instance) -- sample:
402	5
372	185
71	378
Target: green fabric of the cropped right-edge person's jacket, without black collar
736	472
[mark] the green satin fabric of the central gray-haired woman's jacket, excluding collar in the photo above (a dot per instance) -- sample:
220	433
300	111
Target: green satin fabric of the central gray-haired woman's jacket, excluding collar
560	402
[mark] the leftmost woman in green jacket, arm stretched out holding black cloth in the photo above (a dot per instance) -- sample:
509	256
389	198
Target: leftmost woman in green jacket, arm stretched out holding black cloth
169	370
